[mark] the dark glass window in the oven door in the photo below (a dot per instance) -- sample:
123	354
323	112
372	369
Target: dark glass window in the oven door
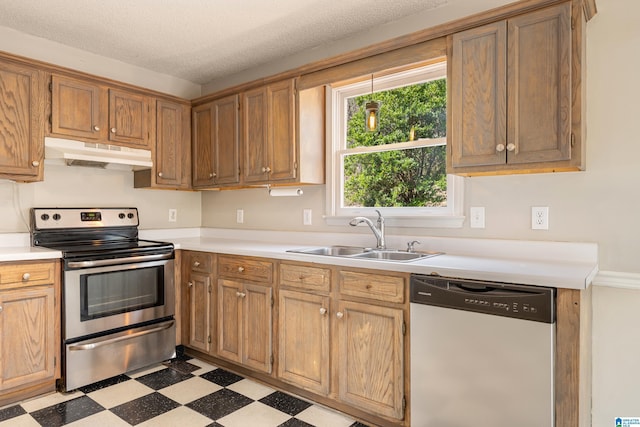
116	292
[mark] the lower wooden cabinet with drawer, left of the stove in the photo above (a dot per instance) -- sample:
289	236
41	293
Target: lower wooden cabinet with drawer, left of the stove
29	329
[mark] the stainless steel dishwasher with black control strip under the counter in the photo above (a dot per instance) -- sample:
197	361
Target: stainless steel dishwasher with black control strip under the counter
482	353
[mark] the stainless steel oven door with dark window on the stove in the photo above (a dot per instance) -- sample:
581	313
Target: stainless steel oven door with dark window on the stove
100	299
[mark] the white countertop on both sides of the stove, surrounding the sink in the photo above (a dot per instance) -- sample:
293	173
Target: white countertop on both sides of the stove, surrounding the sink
555	264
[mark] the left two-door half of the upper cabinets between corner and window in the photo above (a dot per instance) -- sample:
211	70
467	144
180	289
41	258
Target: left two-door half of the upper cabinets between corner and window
216	147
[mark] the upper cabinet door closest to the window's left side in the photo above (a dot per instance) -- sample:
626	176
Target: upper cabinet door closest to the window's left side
282	138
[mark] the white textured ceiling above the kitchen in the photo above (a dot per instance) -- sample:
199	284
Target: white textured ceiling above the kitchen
201	40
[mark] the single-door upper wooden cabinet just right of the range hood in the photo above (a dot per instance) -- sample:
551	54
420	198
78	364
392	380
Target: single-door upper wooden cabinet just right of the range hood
172	150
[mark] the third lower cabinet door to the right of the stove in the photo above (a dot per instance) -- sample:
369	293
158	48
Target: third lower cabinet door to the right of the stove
257	327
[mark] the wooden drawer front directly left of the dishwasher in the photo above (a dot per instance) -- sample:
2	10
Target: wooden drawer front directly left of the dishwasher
372	286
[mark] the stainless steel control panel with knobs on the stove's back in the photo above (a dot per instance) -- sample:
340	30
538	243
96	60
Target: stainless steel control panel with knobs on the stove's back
51	218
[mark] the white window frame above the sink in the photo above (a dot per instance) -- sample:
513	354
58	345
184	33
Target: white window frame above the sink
450	216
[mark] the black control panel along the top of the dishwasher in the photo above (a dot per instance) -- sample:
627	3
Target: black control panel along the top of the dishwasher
526	302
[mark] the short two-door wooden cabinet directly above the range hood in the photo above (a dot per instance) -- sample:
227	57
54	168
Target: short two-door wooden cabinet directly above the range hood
93	112
